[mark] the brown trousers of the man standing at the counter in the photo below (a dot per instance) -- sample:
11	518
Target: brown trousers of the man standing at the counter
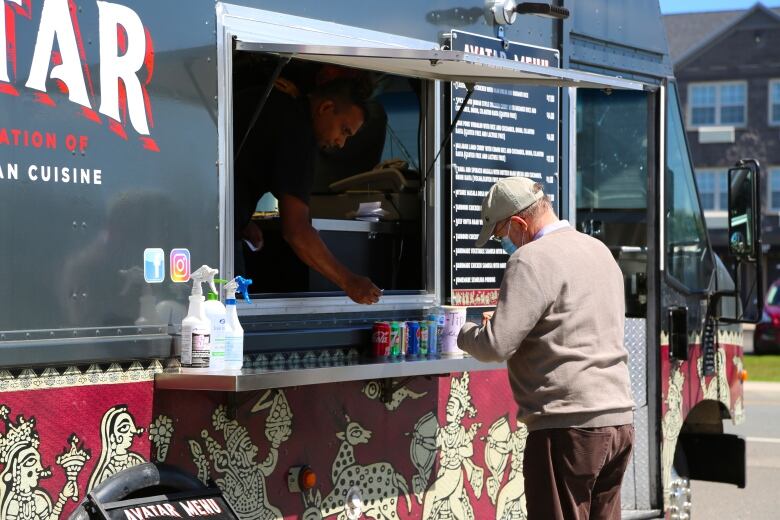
575	473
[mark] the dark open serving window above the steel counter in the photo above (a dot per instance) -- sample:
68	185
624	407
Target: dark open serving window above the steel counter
366	199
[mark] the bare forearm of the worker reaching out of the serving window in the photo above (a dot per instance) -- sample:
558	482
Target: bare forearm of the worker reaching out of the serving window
307	244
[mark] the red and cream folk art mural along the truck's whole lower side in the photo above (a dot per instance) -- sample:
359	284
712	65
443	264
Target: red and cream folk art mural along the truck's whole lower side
436	448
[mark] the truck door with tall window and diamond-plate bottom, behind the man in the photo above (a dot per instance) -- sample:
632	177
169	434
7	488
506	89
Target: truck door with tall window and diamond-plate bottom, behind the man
615	143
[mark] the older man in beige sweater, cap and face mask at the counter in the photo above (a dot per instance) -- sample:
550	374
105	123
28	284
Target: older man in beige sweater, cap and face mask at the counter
559	325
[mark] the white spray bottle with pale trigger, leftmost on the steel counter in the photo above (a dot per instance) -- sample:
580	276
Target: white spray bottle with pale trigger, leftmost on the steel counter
195	328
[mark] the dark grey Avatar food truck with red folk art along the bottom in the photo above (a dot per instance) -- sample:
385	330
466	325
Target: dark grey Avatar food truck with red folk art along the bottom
117	154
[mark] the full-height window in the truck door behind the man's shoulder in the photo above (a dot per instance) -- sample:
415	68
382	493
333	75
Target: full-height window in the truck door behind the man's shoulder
612	158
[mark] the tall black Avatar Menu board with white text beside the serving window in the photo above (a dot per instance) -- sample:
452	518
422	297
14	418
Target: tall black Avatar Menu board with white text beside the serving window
506	130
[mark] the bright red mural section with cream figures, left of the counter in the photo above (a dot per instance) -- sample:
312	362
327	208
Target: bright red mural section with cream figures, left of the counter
65	432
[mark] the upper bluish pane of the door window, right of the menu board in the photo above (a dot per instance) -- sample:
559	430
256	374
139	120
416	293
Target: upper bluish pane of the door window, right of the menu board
611	149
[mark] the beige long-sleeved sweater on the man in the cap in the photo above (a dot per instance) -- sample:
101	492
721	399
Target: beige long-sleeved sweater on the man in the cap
559	325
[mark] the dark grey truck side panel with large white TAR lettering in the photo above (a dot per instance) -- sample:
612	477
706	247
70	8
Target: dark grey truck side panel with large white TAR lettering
107	147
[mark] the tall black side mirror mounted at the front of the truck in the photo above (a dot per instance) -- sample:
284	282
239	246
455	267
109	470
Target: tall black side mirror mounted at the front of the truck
744	302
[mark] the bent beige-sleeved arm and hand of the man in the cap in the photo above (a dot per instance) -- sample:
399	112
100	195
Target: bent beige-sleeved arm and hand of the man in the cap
521	303
